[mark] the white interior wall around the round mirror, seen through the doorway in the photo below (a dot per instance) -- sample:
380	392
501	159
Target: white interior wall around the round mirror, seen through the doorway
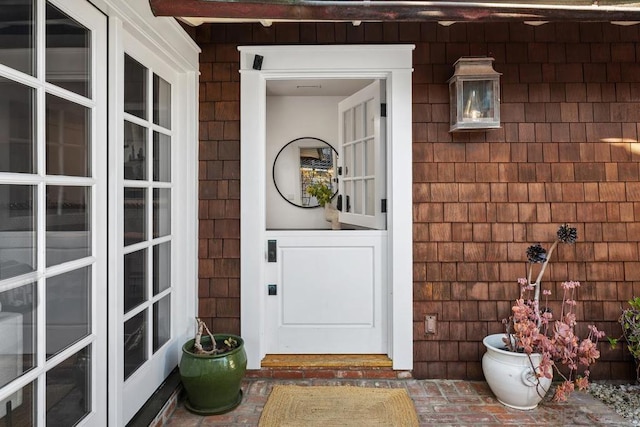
289	118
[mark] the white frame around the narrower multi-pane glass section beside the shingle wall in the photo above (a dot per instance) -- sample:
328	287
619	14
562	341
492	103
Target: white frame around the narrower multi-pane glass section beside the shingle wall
171	45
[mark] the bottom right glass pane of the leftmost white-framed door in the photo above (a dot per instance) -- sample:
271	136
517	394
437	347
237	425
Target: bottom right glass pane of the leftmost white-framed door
68	390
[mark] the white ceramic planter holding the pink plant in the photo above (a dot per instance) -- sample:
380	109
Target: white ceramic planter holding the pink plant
510	375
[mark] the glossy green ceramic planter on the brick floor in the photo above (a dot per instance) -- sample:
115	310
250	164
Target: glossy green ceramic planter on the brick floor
212	382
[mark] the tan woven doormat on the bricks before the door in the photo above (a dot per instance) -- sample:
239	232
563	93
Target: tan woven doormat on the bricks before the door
308	406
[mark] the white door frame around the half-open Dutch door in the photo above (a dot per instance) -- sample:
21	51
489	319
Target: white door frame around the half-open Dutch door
390	62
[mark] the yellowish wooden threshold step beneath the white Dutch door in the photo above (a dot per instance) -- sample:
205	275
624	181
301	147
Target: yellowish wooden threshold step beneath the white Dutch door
302	361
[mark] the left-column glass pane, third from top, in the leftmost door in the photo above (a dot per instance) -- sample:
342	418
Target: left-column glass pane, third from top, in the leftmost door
17	230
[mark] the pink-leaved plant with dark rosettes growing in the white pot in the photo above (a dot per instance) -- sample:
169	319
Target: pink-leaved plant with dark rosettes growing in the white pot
532	329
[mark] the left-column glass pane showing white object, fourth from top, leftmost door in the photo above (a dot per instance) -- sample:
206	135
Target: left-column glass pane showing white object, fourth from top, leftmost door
18	332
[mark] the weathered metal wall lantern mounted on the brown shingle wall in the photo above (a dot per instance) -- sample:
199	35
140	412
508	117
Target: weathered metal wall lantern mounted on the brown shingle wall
474	95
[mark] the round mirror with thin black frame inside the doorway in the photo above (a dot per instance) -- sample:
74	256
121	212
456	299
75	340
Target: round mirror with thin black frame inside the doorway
301	163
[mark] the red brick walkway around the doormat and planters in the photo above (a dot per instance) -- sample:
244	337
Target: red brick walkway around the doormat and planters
437	402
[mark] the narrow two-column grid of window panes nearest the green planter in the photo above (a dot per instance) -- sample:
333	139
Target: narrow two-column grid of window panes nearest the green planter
147	214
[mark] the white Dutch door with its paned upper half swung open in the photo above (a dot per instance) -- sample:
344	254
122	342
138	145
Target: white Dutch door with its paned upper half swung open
330	286
